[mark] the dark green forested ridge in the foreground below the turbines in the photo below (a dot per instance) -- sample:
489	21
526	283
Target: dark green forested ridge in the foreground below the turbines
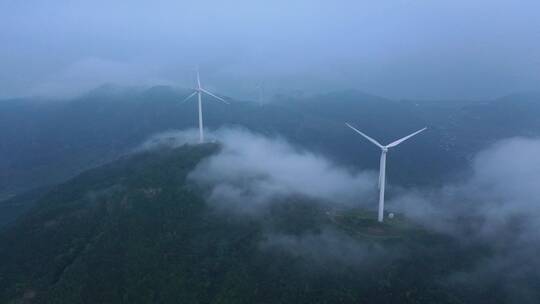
137	231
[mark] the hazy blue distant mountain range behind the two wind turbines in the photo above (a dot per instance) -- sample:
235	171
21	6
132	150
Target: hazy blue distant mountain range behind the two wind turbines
44	142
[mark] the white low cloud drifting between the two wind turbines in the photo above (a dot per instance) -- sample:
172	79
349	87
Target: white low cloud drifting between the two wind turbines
252	170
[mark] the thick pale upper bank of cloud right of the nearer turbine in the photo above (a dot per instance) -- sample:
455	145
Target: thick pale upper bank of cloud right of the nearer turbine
503	186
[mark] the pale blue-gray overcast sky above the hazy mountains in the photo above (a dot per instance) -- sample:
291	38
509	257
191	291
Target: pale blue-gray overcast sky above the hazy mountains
427	49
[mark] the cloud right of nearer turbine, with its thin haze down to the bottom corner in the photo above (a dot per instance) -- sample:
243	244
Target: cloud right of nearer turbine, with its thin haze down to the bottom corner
497	207
